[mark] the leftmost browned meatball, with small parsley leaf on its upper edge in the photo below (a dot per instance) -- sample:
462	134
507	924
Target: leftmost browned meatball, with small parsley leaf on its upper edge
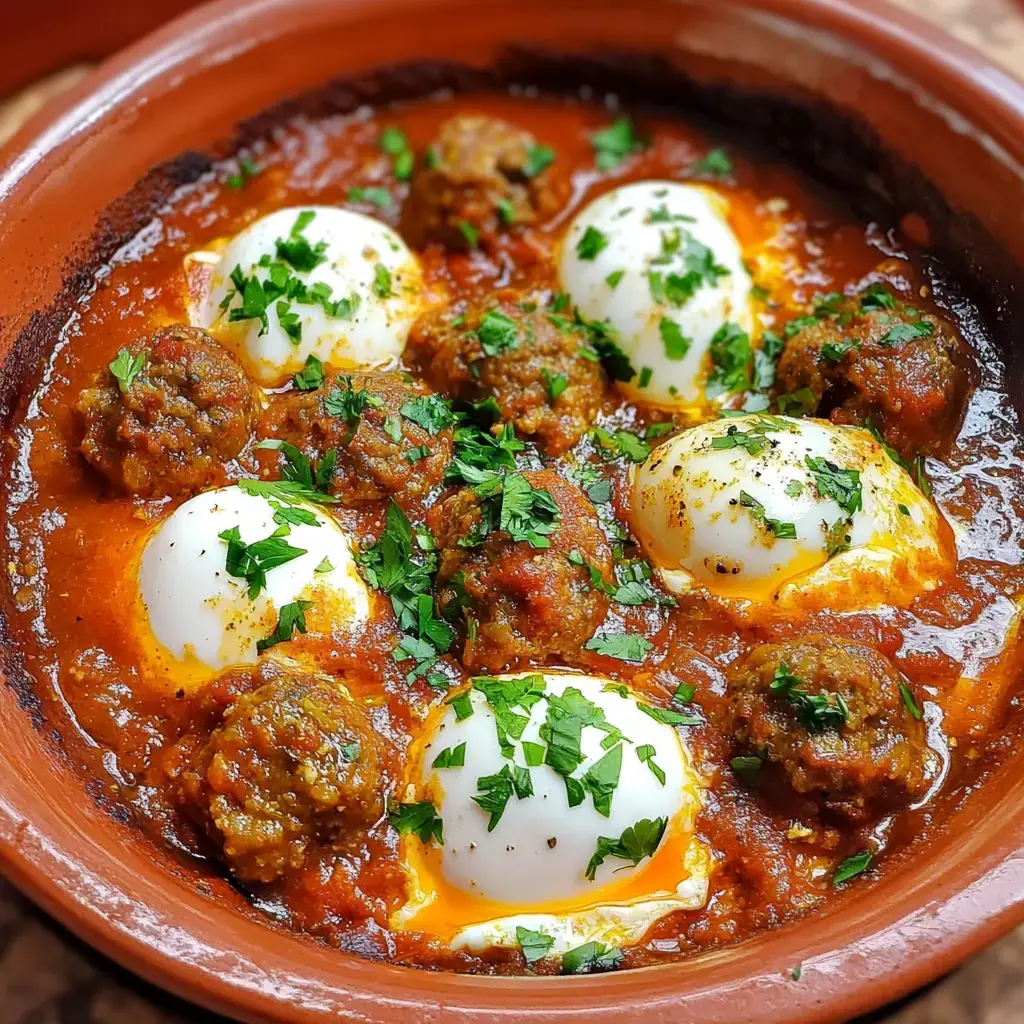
170	429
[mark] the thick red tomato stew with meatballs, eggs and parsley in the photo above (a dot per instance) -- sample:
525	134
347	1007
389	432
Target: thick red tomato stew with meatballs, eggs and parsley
519	535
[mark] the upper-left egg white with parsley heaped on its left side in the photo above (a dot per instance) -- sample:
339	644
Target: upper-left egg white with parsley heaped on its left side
372	337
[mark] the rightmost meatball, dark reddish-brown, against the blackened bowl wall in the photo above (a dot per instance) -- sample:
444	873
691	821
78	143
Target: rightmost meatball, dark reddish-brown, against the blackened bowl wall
902	370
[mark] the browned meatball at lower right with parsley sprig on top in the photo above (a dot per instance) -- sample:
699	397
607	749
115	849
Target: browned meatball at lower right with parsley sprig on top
831	713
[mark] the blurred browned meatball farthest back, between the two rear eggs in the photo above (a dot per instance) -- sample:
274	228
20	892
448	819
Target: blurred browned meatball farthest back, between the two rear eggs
482	176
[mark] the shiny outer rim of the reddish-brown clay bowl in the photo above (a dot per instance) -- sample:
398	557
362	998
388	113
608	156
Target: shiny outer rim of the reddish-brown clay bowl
994	895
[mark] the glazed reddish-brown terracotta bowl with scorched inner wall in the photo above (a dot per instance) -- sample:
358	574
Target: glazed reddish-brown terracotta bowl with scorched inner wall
878	104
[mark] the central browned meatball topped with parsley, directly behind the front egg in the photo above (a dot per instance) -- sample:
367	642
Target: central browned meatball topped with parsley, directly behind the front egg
518	602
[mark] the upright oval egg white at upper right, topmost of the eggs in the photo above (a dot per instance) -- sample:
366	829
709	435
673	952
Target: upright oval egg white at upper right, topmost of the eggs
639	223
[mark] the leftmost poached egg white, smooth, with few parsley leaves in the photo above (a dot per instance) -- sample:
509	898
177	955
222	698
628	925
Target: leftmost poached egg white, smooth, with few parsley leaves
195	618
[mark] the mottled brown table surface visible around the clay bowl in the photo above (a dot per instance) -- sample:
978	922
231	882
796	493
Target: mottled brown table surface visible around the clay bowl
49	977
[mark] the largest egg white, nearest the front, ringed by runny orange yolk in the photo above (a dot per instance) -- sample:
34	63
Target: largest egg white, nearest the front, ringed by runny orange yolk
478	887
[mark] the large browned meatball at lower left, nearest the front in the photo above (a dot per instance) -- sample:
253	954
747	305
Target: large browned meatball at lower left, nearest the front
289	763
